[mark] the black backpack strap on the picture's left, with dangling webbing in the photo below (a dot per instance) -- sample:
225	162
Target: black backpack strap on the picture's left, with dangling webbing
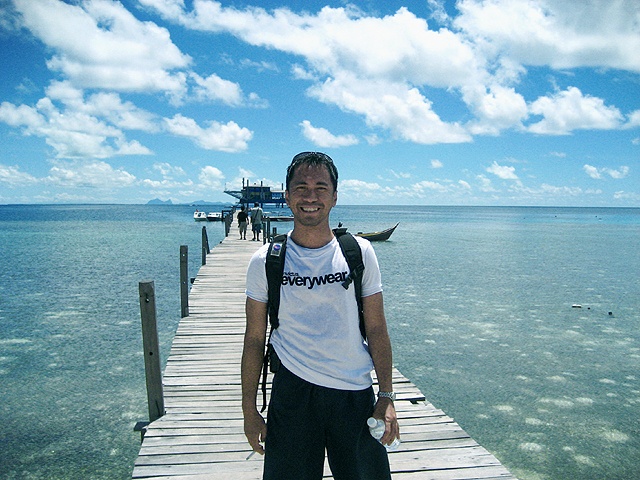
274	267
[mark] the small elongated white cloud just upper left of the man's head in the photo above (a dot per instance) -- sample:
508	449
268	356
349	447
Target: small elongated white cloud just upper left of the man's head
229	137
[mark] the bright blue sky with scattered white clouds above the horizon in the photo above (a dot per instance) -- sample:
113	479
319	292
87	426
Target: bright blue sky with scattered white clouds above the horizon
469	102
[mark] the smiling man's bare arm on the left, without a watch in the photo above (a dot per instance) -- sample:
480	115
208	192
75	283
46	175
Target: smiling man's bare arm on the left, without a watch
255	336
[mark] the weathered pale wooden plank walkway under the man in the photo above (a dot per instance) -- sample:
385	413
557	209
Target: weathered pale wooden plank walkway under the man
201	435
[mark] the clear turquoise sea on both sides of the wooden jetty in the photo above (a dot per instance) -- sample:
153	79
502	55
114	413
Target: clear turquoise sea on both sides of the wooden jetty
481	304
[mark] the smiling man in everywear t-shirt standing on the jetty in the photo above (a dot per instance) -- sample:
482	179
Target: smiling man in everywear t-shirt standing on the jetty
322	392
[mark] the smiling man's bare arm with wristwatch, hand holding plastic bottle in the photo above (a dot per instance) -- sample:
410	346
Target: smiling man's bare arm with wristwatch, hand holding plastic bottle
381	354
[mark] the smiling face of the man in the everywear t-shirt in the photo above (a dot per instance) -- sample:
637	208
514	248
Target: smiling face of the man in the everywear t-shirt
311	195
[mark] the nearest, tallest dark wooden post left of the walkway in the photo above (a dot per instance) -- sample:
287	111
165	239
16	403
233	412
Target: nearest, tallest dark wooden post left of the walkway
150	344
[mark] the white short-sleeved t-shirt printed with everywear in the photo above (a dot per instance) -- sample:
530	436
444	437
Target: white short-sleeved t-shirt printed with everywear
319	337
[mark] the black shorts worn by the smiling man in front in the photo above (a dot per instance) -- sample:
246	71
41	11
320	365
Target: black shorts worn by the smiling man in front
304	420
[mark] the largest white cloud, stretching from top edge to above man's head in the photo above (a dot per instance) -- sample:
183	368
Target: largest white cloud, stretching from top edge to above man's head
365	65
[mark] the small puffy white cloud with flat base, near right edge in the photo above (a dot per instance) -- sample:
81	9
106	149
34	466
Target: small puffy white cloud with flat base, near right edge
571	110
